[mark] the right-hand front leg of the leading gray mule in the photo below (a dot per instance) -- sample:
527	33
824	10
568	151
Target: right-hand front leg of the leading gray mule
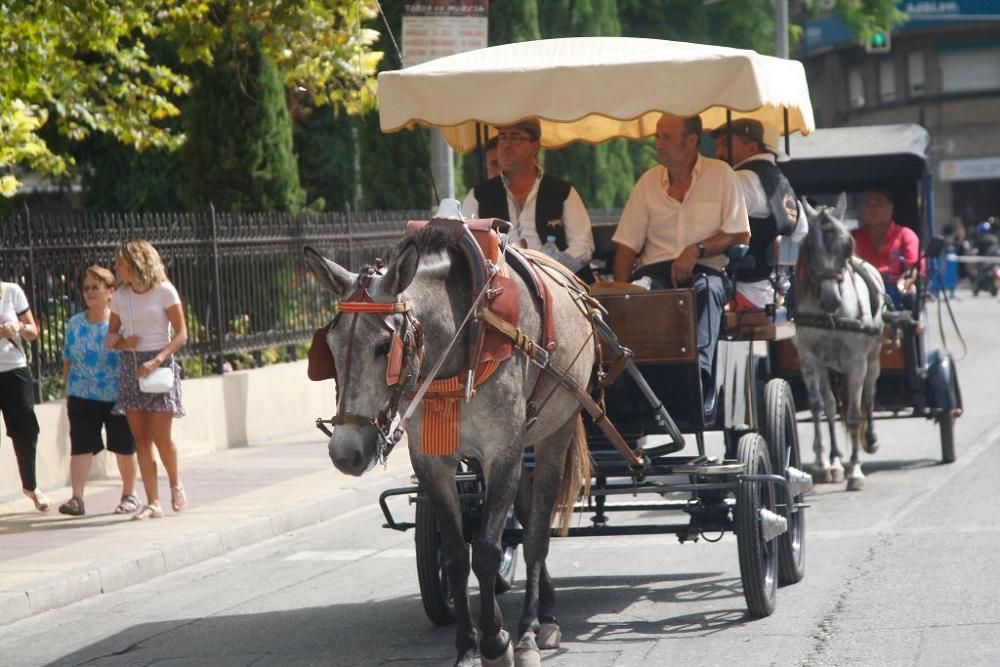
502	481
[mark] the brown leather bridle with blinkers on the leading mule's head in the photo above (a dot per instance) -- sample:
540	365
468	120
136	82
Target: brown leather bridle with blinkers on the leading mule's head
405	356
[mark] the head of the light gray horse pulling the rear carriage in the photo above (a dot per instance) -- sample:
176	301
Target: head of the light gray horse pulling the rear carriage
824	254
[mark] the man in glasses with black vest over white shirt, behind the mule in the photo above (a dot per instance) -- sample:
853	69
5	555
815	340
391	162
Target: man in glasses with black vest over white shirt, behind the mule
537	205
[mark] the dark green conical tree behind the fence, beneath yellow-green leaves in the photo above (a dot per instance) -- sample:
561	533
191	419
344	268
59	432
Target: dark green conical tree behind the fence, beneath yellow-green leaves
239	153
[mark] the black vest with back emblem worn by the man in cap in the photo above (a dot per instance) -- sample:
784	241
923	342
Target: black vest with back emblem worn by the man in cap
784	213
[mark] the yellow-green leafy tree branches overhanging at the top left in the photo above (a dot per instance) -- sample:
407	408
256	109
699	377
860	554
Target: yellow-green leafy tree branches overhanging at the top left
84	67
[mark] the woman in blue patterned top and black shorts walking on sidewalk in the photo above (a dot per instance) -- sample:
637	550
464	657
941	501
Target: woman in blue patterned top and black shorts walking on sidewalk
90	375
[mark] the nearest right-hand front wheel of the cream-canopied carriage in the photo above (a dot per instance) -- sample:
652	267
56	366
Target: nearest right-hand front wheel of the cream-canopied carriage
758	558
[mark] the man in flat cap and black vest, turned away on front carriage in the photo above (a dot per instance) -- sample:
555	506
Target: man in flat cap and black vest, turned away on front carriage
771	204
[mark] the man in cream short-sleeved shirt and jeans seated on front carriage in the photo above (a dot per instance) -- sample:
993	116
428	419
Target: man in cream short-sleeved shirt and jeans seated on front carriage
678	222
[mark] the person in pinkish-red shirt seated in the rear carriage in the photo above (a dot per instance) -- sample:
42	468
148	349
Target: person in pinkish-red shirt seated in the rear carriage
892	249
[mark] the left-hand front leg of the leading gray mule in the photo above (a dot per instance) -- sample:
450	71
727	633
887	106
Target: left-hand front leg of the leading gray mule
437	476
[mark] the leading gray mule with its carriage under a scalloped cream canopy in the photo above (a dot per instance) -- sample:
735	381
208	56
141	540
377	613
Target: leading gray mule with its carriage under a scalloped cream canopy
506	453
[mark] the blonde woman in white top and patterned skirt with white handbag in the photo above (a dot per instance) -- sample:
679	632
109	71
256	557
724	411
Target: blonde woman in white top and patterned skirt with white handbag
147	321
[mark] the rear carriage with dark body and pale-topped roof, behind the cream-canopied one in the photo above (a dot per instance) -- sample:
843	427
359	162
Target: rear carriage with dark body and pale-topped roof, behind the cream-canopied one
914	381
